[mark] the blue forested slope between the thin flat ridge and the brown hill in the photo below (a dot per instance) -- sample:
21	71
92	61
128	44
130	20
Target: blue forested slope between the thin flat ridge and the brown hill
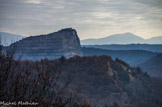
132	57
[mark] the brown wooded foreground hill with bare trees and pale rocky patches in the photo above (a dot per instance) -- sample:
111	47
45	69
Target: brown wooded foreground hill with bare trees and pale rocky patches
98	80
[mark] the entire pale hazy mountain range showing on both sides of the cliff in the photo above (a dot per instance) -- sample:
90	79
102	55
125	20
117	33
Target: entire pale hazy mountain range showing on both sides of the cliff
125	38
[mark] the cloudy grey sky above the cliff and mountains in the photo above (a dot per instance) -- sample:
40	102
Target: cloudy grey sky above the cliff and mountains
91	18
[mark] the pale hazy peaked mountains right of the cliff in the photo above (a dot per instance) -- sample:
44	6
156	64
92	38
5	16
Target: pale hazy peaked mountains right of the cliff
125	38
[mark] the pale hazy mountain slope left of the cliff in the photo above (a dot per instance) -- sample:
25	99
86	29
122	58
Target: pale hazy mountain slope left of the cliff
8	38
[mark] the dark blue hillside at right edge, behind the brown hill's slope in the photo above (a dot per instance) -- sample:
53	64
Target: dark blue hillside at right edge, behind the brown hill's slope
153	66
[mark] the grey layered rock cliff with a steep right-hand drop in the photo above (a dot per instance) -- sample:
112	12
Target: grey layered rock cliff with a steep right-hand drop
54	45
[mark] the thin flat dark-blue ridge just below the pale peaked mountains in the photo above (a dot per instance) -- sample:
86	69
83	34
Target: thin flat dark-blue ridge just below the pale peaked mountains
147	47
